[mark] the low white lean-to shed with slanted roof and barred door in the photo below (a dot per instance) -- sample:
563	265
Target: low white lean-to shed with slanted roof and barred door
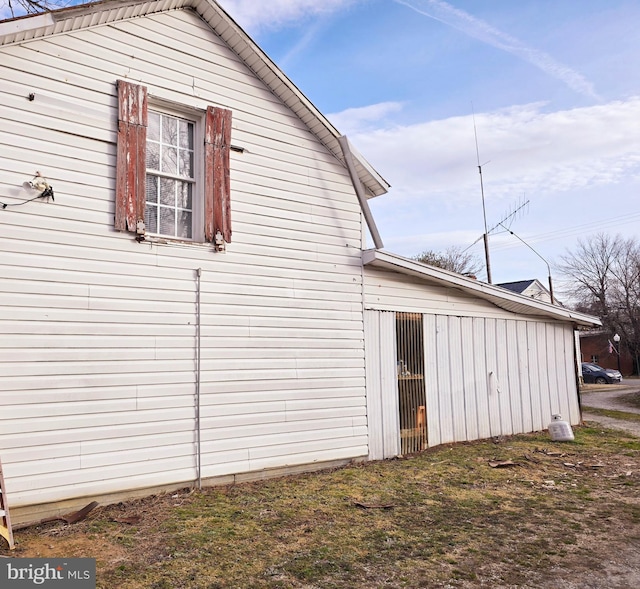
451	359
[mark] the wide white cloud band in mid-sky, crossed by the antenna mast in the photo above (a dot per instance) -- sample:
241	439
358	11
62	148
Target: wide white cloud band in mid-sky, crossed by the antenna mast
523	151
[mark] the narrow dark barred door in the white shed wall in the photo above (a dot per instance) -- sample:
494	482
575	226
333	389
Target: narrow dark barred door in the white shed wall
411	391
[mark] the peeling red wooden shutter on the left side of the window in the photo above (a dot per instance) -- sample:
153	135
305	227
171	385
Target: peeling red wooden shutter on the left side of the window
131	161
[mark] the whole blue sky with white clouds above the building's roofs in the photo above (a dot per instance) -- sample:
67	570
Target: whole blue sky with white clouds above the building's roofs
553	86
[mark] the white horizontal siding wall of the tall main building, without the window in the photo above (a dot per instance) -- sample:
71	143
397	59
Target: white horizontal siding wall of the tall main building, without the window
98	332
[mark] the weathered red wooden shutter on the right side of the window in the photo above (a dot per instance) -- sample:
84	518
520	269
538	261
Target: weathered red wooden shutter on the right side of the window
217	194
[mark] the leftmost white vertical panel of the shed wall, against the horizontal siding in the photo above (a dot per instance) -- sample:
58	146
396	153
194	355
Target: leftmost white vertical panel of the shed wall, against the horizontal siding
373	376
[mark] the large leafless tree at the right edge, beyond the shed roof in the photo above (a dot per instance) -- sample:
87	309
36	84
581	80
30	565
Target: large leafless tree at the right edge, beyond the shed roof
604	280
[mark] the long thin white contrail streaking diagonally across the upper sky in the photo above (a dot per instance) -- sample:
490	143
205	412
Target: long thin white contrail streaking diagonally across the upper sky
479	29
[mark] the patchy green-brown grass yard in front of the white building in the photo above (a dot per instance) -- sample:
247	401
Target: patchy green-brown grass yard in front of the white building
443	518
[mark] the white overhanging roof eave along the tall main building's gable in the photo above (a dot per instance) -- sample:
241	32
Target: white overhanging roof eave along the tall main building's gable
37	26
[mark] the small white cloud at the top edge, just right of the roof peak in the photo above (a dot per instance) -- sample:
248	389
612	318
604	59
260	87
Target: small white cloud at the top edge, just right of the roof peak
254	16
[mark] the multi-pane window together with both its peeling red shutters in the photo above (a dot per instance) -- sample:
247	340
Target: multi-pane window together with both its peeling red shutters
172	171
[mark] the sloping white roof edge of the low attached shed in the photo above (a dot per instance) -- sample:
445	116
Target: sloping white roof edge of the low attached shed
496	295
